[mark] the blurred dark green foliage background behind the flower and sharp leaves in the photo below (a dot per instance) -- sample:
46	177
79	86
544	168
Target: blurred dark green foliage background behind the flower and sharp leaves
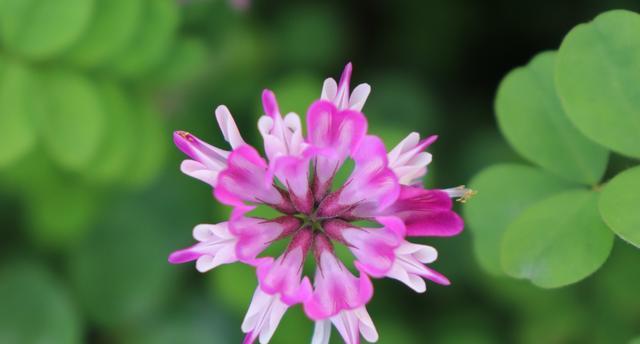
92	200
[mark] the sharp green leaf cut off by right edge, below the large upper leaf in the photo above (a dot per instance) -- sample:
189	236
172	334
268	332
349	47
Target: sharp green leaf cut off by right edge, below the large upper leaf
619	205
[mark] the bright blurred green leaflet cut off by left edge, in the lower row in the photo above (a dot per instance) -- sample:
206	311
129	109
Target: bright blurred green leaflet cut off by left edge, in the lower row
16	111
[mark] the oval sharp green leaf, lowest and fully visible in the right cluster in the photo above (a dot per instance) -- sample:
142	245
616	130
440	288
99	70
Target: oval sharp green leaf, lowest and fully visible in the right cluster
557	241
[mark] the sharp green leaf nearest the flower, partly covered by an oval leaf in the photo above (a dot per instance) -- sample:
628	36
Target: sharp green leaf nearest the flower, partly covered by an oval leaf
504	191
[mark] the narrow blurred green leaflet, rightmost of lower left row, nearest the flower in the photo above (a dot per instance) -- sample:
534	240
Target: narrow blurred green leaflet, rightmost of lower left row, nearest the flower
151	142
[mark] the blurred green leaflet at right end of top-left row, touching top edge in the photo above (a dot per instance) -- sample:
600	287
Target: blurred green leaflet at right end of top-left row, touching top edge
151	41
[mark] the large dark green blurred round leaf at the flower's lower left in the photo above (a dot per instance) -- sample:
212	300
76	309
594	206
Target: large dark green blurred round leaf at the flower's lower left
120	272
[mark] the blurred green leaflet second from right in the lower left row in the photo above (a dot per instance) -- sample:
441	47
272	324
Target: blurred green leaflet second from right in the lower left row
115	155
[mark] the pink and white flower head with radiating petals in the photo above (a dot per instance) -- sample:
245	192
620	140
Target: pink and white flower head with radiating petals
297	179
